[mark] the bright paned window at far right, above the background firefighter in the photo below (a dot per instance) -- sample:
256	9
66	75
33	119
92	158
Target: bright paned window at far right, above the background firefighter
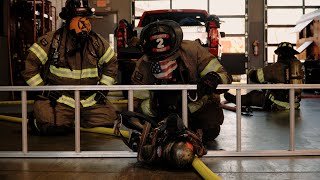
281	18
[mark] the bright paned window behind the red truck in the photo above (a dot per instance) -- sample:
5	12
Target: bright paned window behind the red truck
233	17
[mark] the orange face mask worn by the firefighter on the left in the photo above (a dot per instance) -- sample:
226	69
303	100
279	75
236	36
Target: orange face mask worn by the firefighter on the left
80	26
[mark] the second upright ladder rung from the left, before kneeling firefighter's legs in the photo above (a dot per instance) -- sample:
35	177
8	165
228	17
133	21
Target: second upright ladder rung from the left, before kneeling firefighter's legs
77	120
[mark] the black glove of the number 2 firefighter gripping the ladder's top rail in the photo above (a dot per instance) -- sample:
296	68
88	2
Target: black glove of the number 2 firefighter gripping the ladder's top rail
208	84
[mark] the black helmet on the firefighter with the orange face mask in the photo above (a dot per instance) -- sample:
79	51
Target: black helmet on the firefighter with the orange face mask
75	8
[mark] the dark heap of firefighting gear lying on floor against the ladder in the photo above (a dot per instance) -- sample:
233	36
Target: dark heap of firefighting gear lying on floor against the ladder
168	141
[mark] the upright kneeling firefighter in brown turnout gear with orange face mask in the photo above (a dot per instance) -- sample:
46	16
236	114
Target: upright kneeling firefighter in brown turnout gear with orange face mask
72	55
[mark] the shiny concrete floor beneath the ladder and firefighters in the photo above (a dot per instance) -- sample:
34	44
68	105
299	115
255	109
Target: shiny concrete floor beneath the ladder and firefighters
261	131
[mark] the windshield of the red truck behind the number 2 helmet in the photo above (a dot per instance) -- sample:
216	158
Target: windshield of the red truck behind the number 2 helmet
183	18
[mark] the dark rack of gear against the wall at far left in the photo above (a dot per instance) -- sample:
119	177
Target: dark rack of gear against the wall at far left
28	20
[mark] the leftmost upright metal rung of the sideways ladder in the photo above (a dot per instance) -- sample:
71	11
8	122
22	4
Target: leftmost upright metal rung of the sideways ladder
24	122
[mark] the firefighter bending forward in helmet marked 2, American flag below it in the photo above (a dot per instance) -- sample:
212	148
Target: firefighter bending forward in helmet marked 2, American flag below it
169	59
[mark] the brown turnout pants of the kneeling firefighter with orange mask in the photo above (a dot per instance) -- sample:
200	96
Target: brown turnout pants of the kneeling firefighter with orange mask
62	116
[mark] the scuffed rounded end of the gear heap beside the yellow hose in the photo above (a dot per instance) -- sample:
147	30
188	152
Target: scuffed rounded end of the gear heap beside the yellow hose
179	154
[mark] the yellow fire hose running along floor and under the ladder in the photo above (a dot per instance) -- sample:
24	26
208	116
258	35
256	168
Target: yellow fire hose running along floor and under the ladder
197	164
